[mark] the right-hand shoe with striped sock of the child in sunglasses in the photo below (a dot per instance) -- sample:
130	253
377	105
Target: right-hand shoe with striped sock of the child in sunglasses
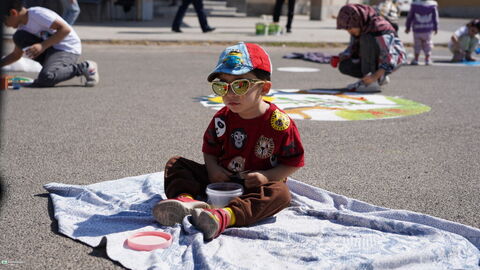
211	222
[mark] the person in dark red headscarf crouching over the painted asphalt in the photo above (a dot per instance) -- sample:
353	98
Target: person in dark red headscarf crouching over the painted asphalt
374	51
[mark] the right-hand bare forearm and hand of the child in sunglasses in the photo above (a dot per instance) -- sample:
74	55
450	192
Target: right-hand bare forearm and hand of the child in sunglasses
279	173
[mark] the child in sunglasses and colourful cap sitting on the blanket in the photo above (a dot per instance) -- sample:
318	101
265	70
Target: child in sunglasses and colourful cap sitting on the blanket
248	136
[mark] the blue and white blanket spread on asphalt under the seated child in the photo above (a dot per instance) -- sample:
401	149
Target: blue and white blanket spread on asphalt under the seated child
321	230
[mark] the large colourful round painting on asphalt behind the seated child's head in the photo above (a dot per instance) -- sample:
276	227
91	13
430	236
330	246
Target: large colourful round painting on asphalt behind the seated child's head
331	105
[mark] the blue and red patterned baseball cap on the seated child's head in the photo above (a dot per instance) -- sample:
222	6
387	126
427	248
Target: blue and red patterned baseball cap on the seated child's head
240	59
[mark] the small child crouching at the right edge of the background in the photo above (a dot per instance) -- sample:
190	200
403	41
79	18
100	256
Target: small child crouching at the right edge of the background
464	41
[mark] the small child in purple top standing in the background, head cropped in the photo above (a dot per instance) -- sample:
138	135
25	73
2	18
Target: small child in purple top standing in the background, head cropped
423	19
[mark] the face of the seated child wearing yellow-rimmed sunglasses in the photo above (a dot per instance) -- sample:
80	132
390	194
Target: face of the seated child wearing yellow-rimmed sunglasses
246	105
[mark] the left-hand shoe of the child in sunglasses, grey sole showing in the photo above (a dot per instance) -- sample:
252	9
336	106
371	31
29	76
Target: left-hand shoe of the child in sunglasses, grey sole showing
171	211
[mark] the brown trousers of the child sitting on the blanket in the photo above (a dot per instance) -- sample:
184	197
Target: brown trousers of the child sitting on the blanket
186	176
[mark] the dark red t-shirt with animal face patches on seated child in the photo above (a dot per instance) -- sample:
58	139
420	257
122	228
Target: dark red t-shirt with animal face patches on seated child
253	144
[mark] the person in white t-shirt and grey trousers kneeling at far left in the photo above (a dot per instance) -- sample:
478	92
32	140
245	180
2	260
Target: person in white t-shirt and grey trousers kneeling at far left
46	38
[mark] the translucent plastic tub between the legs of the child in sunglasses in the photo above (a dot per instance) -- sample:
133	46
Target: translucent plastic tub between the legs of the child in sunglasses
220	194
